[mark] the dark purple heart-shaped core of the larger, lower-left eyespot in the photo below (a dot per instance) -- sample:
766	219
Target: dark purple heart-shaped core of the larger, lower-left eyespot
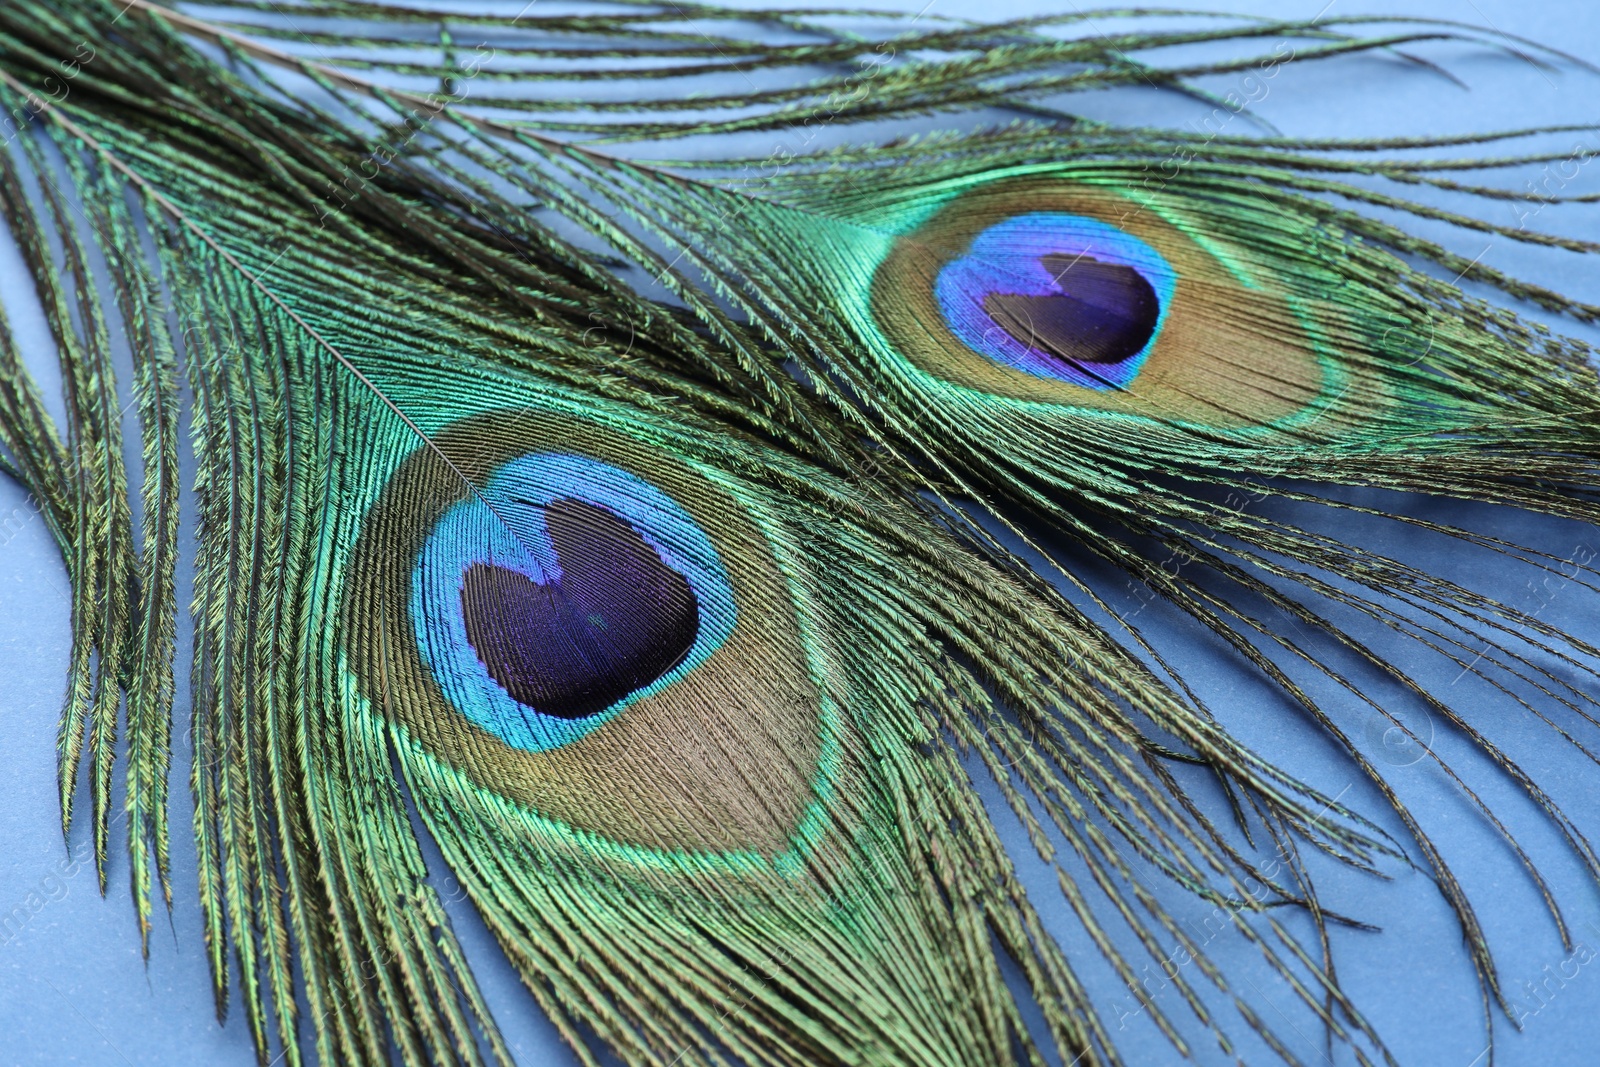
618	618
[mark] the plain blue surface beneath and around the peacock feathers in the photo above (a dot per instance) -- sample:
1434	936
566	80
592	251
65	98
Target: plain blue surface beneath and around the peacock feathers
76	991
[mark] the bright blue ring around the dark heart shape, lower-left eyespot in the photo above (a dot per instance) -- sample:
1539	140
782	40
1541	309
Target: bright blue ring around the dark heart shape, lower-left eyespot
516	537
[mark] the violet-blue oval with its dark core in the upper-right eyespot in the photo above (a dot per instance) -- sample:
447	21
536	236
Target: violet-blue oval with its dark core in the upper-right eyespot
1060	297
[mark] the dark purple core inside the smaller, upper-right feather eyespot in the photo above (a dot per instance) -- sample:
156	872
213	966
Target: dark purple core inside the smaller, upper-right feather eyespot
1106	313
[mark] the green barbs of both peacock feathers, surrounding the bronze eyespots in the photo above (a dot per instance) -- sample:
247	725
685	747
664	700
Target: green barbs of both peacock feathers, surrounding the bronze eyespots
337	310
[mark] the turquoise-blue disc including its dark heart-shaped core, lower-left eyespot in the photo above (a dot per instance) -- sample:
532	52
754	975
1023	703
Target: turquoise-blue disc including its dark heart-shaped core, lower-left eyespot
570	591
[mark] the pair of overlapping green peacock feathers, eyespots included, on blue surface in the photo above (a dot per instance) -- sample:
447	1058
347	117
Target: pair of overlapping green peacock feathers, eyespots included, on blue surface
686	556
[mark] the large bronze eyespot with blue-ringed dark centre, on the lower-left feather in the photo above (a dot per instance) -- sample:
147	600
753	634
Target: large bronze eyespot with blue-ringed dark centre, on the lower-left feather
556	609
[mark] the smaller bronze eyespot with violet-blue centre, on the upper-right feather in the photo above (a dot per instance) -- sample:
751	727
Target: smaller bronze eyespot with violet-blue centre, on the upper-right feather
1068	294
